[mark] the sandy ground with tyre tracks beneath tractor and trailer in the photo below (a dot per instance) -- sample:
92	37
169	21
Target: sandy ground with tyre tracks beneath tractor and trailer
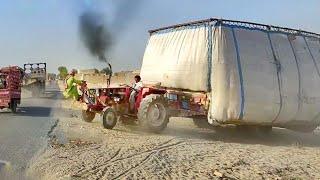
80	150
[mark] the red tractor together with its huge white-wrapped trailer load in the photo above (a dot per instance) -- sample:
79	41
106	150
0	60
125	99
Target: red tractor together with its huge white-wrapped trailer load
227	73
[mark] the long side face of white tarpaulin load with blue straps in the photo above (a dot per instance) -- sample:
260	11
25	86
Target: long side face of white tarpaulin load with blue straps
264	77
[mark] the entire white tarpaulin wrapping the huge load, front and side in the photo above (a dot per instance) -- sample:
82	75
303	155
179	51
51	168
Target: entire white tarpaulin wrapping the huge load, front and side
253	75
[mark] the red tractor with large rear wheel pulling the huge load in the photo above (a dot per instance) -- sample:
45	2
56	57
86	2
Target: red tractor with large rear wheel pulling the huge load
153	106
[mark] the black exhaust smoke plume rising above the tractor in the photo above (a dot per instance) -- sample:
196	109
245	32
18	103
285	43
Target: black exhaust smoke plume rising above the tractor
97	36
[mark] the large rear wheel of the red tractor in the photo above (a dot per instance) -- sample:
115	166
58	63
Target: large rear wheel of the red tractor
153	113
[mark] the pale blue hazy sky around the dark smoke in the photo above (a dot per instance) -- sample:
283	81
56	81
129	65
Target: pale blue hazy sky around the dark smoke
47	30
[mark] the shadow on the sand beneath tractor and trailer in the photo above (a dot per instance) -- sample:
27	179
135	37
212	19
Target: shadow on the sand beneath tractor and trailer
278	137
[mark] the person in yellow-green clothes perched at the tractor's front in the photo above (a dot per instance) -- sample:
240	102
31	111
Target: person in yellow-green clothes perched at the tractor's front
71	90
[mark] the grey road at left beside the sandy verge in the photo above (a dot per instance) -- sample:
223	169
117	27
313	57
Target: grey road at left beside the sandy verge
23	134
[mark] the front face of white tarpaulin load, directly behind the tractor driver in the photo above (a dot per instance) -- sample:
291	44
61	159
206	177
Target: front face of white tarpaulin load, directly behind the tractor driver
178	59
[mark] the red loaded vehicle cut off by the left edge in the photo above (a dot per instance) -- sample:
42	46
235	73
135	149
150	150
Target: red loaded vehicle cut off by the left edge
10	87
